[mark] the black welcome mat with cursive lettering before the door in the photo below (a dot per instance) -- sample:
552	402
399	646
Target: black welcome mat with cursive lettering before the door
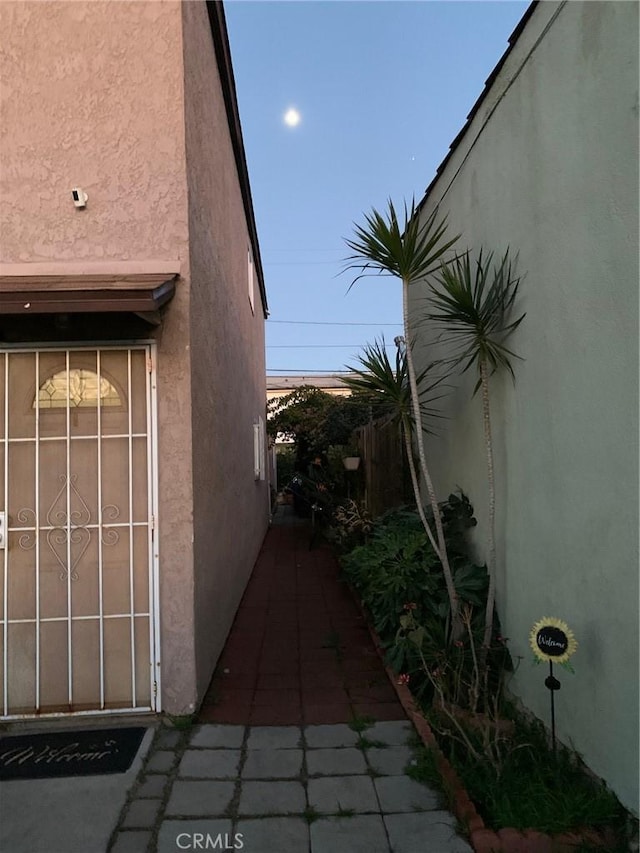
87	752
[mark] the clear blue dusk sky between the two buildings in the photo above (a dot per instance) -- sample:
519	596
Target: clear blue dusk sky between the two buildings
382	88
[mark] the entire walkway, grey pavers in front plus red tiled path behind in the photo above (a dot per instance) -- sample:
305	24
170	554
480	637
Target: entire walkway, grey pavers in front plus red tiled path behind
301	745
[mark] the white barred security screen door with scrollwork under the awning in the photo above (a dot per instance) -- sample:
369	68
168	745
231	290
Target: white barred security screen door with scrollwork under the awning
78	632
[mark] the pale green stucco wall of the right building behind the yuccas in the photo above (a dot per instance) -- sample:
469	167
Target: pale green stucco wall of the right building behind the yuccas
553	174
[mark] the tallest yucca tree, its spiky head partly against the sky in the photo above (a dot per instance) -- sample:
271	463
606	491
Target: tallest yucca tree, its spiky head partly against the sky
409	250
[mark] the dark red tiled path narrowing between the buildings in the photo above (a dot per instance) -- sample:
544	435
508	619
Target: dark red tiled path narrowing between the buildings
299	651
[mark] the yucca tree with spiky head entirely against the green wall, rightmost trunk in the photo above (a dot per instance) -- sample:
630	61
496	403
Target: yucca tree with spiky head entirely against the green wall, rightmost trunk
472	303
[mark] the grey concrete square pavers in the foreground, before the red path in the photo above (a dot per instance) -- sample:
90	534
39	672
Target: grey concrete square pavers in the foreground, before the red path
288	789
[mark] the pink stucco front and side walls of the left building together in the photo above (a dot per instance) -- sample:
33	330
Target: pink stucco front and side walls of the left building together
123	100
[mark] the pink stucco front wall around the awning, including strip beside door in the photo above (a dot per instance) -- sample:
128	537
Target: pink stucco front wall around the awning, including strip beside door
92	96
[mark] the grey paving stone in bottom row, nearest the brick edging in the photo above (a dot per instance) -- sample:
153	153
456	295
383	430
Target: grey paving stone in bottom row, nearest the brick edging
432	831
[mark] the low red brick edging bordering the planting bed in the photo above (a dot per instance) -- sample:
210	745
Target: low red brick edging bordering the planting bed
483	840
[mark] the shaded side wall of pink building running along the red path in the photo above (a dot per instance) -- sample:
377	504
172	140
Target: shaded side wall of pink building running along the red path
227	357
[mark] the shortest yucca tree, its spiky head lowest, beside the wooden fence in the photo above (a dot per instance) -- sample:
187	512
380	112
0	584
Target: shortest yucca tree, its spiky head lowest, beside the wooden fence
380	380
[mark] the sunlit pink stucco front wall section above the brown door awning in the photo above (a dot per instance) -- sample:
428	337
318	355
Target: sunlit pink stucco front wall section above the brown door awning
92	97
